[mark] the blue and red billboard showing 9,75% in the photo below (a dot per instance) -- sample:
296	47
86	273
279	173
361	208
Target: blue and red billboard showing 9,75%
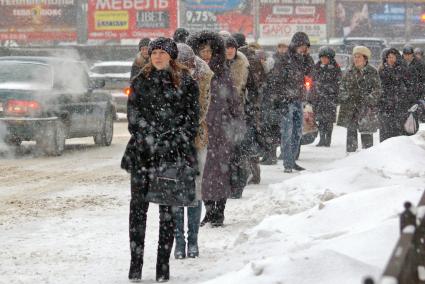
216	15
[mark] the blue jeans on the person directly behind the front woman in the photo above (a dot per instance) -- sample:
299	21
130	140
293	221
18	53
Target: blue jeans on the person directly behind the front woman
193	221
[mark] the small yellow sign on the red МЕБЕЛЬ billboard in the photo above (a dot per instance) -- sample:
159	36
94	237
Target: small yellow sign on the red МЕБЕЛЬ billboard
111	20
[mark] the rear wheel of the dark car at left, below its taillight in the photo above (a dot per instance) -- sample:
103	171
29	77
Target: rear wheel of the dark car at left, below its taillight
52	140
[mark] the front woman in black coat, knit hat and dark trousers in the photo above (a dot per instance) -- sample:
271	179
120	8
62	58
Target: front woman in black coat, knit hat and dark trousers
163	115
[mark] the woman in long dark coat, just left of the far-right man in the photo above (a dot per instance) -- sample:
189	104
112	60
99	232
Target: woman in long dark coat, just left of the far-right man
395	100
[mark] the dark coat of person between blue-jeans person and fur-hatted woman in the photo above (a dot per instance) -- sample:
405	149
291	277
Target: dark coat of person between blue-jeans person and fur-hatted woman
326	80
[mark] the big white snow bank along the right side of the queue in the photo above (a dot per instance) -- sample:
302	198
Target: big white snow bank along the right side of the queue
343	222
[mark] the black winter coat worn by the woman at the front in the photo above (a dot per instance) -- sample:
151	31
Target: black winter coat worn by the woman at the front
163	122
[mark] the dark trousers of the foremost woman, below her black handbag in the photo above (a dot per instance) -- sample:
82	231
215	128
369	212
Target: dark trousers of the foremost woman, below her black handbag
137	230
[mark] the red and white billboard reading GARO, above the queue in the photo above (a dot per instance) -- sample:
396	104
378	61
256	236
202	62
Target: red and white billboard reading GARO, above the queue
280	19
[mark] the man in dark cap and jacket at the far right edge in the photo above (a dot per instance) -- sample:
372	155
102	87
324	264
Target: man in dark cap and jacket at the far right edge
416	73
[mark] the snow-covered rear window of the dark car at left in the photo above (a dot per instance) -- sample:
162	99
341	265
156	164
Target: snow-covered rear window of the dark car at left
22	75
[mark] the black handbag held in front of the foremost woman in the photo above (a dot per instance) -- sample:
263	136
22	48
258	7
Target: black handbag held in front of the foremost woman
172	184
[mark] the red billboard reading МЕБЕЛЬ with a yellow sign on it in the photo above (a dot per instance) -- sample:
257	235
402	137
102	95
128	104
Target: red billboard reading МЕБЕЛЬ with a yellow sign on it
128	19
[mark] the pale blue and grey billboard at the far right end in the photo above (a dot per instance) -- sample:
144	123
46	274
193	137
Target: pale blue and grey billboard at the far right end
378	19
